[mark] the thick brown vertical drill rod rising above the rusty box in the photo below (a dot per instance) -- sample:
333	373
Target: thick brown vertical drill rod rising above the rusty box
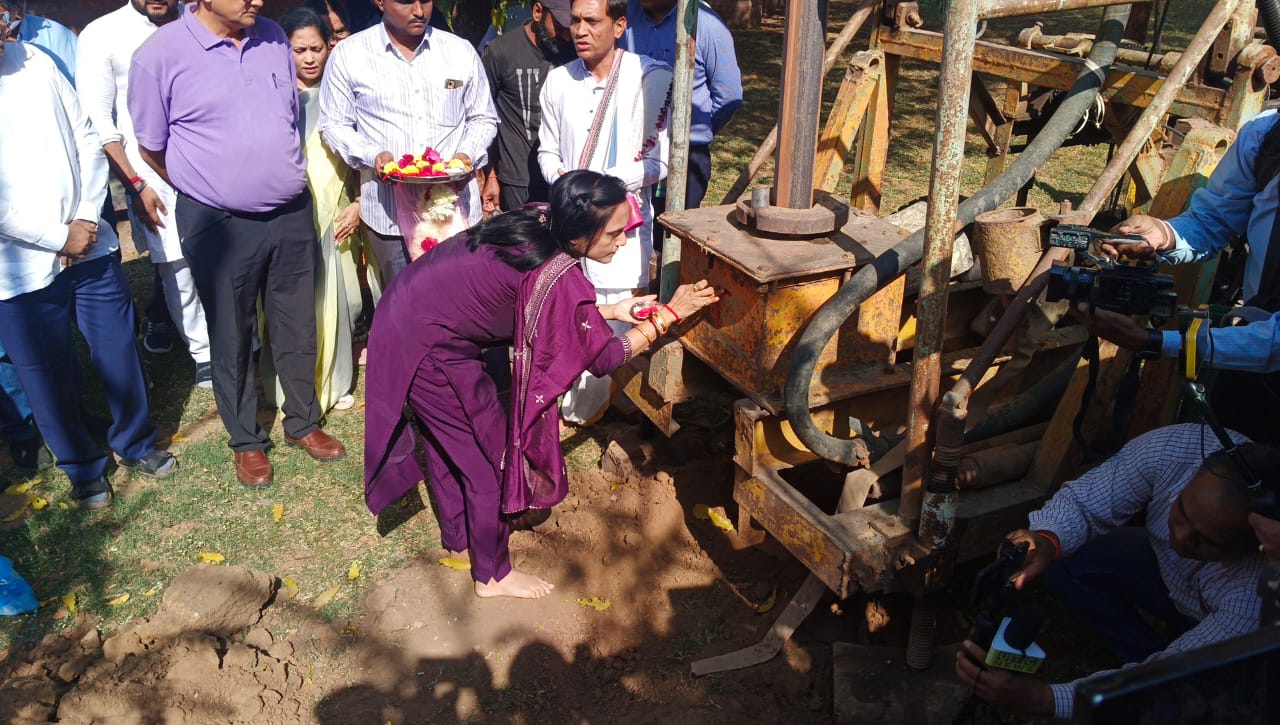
799	106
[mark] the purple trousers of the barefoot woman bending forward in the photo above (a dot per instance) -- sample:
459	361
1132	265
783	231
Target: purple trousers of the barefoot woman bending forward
464	445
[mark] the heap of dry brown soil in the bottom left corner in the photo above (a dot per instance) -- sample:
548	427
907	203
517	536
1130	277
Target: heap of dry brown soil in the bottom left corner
198	660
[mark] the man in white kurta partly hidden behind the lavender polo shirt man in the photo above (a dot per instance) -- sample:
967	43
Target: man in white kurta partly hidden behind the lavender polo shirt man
107	48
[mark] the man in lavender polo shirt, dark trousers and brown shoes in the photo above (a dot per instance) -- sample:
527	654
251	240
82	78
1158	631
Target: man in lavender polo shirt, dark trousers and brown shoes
214	108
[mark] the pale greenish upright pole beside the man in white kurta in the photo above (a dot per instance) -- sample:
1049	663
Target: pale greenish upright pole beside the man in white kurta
682	120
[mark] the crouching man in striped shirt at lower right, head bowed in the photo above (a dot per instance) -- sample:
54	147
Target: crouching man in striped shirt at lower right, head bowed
1195	566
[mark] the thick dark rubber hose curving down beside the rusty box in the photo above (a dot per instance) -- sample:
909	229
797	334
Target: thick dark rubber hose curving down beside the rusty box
885	268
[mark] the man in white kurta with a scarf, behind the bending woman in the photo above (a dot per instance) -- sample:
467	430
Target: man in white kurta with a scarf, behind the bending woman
633	145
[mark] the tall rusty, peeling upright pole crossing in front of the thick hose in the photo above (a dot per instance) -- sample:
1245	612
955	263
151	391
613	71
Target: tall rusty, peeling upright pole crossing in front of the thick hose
959	38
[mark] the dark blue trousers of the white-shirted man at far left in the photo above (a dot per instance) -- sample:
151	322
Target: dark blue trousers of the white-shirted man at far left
36	329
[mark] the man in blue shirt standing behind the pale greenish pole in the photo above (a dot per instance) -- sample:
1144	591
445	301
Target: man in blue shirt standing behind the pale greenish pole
717	80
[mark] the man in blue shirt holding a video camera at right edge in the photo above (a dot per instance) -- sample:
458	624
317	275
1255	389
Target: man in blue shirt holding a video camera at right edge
1231	206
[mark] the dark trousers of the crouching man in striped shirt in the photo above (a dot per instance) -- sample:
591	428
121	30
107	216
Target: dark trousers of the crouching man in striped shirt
1108	582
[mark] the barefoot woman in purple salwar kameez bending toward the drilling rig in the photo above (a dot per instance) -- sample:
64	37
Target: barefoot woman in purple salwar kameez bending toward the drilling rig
513	279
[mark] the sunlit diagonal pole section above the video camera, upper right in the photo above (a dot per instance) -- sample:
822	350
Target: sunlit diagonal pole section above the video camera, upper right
1155	112
